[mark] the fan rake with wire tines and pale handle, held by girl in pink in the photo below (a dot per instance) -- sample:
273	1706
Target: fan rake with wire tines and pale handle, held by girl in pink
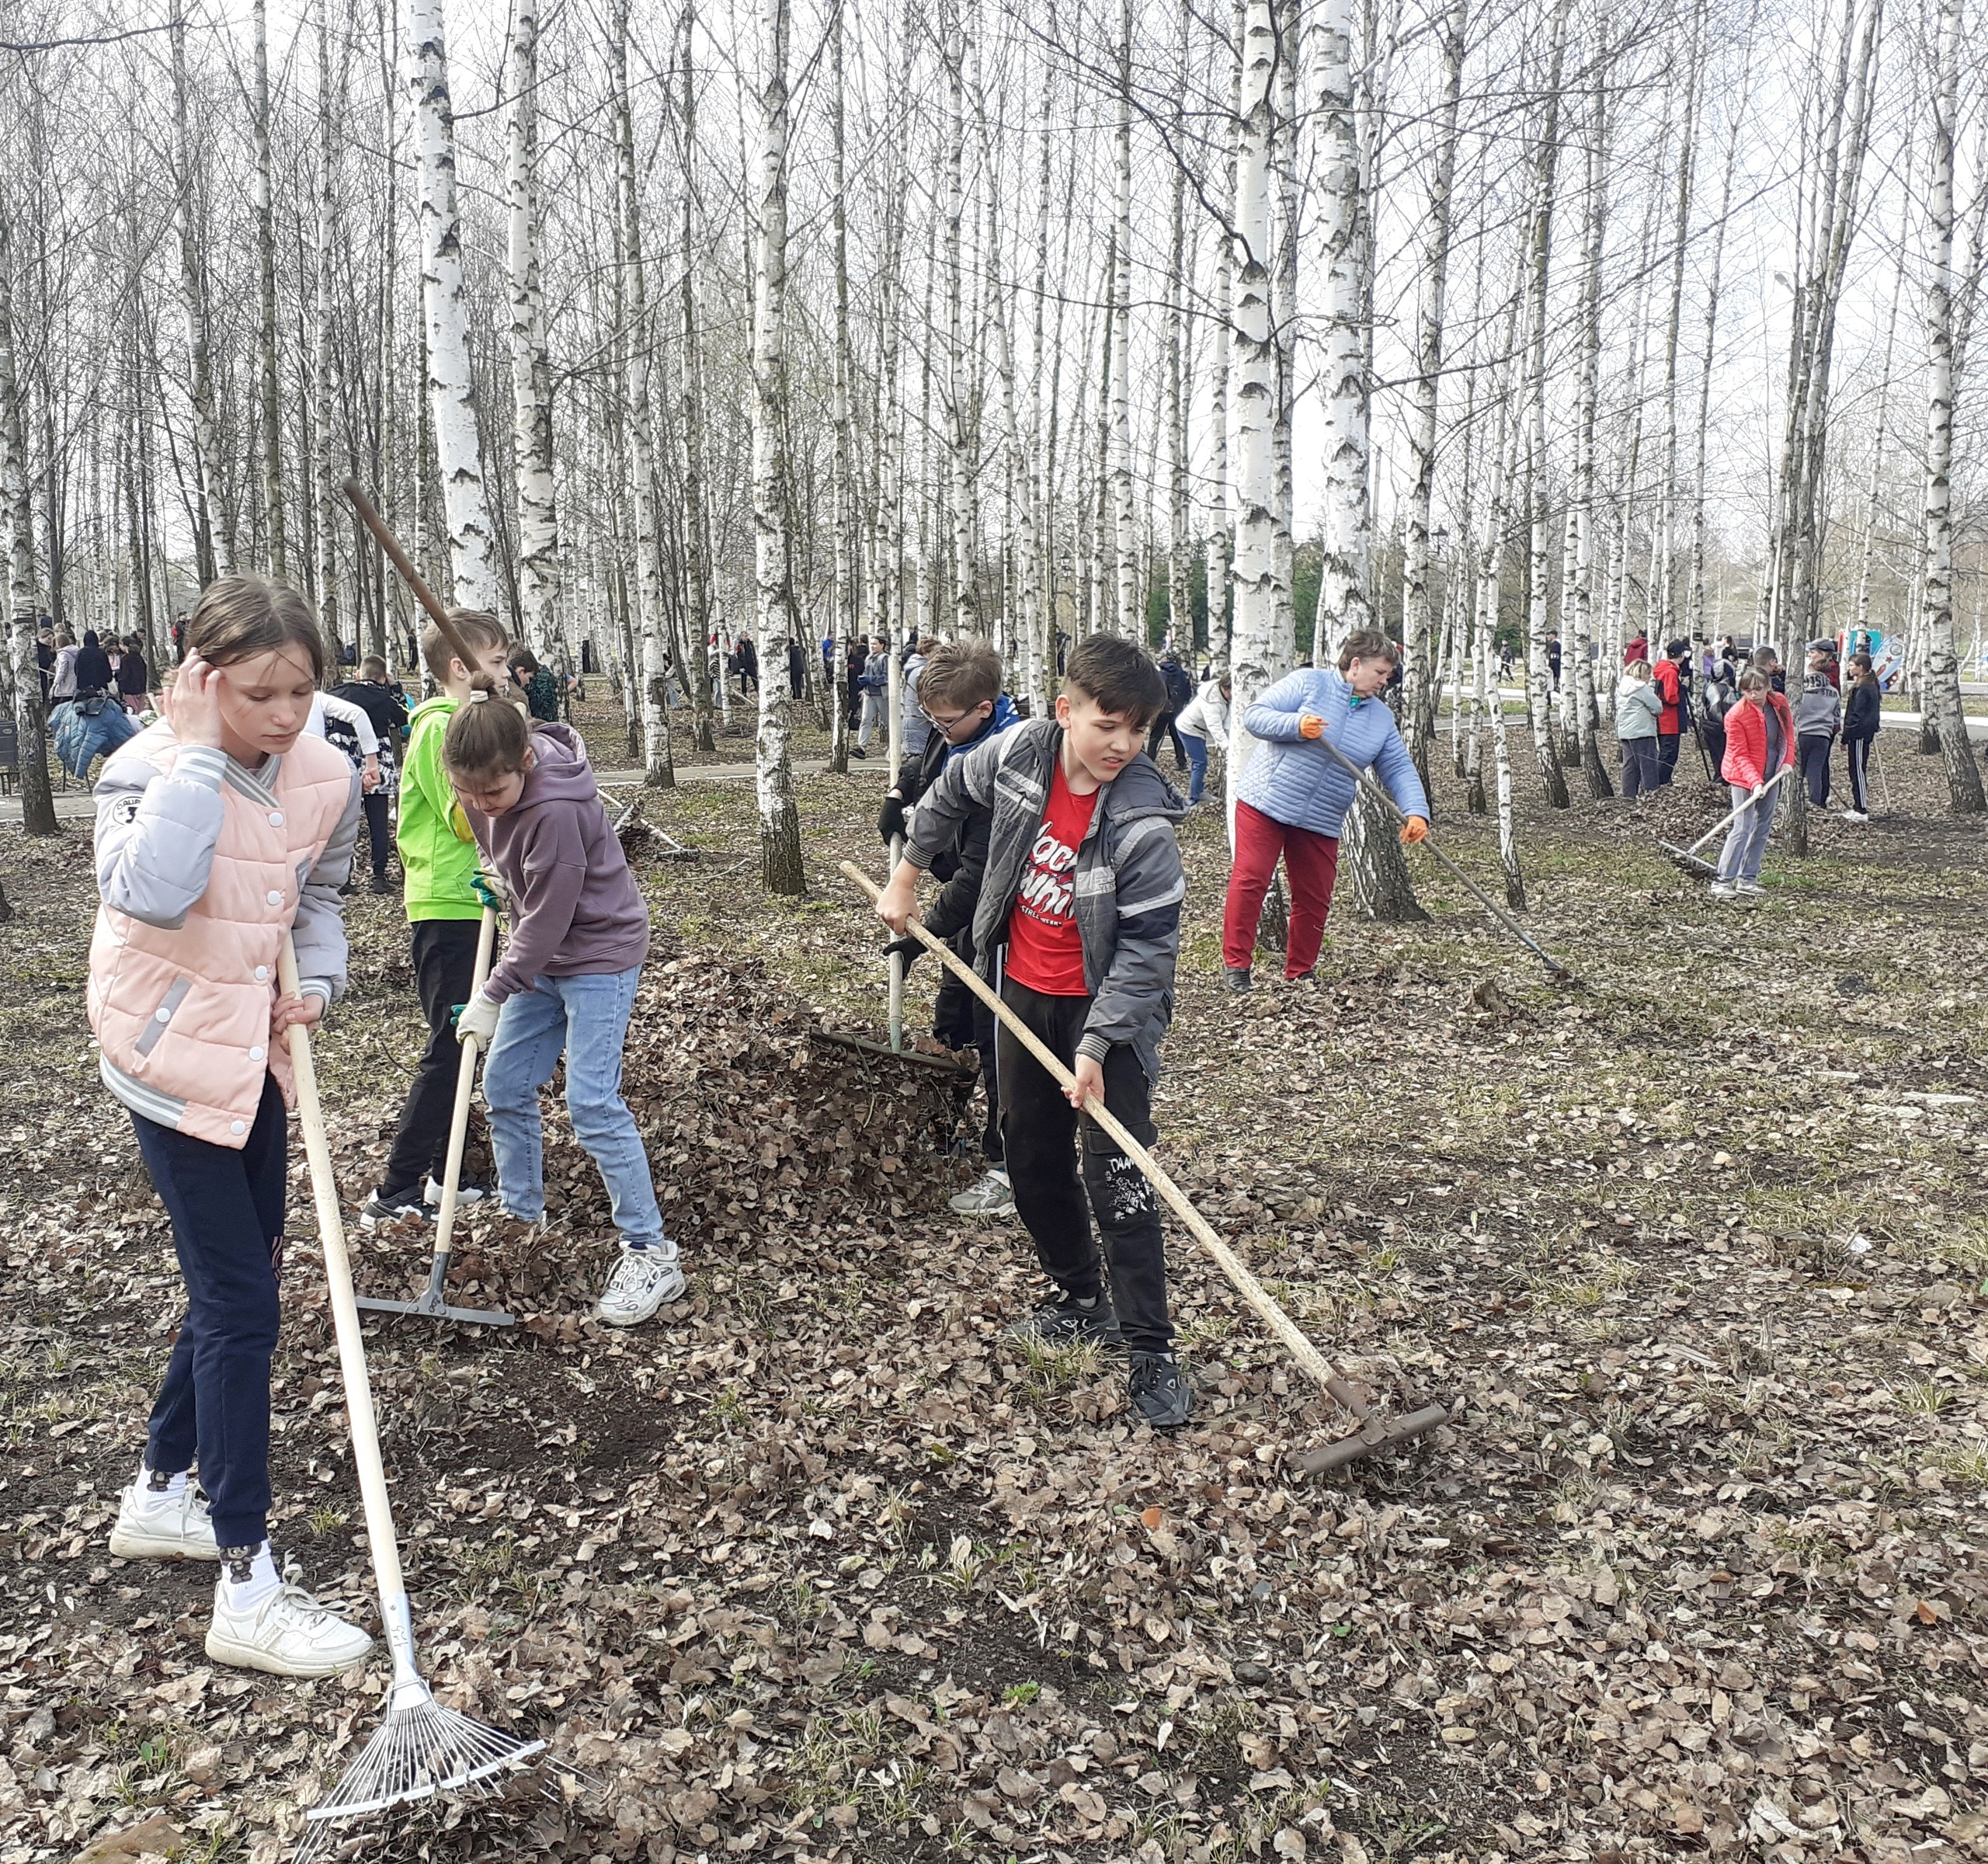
422	1748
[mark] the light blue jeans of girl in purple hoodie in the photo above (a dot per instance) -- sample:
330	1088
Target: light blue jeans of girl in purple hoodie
587	1020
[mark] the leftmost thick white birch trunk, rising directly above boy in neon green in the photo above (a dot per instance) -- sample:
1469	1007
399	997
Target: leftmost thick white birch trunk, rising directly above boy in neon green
446	315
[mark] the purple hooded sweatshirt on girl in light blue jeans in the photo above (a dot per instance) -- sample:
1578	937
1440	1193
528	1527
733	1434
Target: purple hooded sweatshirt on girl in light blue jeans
576	909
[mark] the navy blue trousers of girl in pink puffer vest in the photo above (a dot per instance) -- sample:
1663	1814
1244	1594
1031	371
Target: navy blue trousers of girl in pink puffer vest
228	1229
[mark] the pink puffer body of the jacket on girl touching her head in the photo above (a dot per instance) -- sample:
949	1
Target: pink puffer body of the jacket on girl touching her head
182	1014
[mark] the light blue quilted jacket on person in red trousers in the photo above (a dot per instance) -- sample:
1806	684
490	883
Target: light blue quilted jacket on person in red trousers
1295	782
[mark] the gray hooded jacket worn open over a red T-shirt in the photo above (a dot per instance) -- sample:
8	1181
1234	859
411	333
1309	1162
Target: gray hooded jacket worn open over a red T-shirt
1130	879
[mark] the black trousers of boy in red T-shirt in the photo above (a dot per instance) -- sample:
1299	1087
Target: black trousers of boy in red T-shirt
1039	1128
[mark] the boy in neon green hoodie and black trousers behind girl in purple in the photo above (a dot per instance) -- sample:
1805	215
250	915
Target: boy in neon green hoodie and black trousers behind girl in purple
440	861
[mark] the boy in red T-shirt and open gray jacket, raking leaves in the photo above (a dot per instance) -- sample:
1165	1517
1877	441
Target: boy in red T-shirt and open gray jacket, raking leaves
1082	901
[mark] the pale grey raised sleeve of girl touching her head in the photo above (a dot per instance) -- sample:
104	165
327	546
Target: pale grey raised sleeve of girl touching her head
158	834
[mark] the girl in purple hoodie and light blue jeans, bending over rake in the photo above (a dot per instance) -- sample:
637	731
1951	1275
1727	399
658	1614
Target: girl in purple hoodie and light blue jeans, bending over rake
566	987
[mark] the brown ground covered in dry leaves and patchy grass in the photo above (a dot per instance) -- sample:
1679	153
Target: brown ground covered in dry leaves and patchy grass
818	1565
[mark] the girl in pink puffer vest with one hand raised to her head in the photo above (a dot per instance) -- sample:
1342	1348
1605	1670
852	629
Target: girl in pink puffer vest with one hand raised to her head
220	830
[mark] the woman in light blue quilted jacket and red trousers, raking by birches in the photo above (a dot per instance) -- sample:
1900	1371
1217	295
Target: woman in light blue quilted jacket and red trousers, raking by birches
1293	796
